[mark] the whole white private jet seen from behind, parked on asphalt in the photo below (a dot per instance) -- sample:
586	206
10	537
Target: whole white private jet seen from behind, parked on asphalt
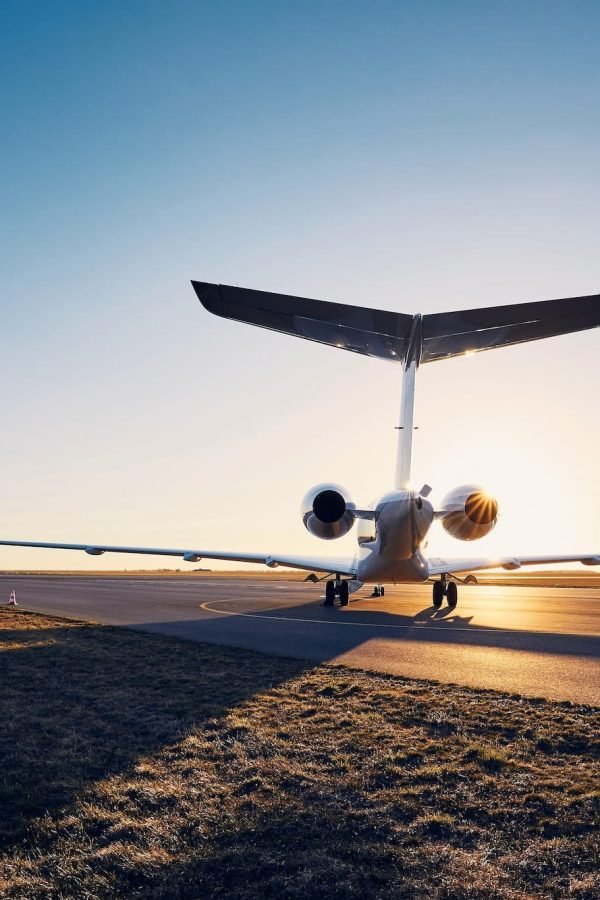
392	532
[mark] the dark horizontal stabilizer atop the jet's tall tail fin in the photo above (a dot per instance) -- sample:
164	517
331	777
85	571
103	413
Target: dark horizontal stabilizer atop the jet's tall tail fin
390	335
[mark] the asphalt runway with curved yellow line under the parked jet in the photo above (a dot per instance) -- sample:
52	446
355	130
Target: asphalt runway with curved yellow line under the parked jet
541	642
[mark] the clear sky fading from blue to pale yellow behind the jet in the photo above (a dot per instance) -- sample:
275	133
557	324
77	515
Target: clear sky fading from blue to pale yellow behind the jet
411	156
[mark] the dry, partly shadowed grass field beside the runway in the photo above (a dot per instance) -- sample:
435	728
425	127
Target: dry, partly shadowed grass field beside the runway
143	766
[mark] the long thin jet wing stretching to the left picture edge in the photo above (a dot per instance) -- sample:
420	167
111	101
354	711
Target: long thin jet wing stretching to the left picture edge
341	565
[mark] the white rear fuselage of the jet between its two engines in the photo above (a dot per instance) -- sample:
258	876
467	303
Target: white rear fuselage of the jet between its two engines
390	545
